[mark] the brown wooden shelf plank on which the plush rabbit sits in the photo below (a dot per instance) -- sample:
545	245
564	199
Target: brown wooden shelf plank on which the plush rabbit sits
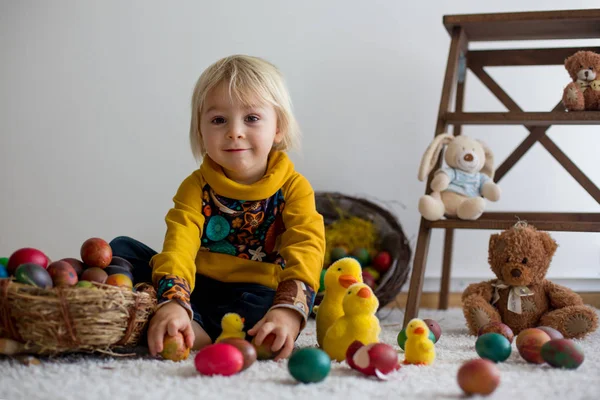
566	222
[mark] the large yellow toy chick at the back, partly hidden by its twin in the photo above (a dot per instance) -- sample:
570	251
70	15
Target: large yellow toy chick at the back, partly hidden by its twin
338	277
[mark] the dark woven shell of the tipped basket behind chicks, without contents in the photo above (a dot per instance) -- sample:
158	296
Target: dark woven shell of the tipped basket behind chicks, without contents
391	237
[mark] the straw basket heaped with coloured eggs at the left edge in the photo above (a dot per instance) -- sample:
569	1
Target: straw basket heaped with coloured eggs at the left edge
71	305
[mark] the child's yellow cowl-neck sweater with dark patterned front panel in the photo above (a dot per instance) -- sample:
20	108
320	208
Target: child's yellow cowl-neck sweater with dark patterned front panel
268	233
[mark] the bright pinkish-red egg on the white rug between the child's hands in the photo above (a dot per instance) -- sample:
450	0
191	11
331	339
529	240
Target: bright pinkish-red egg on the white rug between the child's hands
219	359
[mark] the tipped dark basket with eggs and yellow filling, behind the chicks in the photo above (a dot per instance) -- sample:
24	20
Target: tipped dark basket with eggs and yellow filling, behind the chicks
358	228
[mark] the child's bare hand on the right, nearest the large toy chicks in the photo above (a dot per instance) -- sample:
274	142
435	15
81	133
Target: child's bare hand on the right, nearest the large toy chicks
284	323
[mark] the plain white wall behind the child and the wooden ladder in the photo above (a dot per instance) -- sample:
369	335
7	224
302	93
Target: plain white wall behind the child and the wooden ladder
94	114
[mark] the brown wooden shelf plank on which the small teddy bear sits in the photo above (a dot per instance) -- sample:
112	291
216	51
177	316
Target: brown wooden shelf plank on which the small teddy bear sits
524	118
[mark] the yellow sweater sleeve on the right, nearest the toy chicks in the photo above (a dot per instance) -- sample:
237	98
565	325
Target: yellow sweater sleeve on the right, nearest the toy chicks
302	247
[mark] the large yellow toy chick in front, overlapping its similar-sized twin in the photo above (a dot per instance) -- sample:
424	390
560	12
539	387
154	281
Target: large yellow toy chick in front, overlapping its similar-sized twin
358	322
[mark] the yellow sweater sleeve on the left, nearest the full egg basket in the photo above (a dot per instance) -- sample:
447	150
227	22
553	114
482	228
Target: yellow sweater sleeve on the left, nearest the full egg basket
174	269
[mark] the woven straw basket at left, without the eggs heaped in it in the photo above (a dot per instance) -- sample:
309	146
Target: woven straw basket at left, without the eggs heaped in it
64	320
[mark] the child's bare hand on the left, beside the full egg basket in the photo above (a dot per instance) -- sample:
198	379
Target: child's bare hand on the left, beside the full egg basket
169	319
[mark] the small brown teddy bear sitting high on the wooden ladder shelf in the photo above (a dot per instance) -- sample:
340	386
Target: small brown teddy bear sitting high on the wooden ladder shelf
584	92
